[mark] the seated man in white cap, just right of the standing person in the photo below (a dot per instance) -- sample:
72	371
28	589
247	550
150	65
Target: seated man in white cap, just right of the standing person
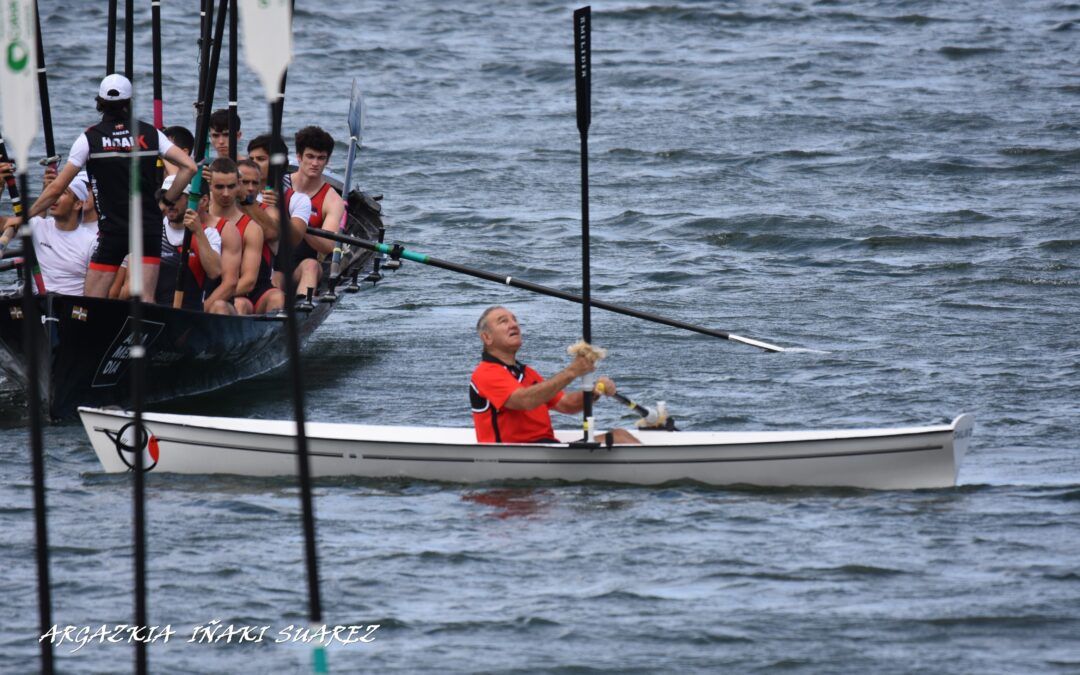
205	262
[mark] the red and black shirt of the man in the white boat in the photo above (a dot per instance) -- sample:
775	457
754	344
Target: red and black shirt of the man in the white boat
492	385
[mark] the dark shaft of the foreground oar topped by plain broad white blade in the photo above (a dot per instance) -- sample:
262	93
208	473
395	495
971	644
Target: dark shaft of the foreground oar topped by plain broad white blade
286	264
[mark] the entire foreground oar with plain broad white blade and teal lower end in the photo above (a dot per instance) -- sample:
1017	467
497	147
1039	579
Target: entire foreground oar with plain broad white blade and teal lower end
268	45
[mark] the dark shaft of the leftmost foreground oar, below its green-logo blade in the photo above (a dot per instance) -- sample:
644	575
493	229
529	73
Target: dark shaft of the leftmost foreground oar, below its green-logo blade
32	340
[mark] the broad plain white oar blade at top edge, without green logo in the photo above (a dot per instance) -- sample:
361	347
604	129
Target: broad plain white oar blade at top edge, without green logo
268	40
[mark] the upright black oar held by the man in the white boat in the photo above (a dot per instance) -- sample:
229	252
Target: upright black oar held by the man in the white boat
583	72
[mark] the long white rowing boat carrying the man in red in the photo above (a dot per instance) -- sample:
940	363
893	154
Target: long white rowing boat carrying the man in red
902	458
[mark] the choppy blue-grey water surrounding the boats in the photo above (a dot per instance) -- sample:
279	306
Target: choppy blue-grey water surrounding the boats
892	183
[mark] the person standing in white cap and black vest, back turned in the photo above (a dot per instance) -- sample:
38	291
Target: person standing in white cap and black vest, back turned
105	151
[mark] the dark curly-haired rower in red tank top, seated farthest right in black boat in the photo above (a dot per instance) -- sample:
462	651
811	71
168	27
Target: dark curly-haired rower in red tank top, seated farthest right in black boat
314	150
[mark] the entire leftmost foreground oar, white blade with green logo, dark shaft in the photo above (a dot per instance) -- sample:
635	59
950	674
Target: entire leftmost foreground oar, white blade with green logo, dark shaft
20	114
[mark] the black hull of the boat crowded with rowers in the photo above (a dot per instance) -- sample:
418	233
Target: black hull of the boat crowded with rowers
84	346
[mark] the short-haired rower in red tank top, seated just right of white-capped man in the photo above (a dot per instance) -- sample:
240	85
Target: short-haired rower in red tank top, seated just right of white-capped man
225	215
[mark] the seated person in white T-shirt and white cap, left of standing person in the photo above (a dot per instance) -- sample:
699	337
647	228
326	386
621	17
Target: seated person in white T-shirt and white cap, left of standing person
63	247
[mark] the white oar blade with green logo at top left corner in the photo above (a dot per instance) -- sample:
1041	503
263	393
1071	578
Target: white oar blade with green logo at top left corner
19	78
